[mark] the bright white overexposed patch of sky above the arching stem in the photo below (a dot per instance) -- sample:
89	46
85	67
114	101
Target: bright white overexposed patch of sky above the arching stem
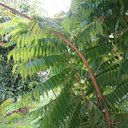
55	6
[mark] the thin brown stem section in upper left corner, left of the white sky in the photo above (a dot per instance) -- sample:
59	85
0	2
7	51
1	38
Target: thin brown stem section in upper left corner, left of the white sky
15	11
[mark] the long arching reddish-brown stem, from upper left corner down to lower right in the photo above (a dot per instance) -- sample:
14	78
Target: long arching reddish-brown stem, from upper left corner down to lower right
107	115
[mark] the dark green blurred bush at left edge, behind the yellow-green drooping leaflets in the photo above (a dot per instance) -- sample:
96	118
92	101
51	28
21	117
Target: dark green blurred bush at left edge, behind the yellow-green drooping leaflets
11	86
